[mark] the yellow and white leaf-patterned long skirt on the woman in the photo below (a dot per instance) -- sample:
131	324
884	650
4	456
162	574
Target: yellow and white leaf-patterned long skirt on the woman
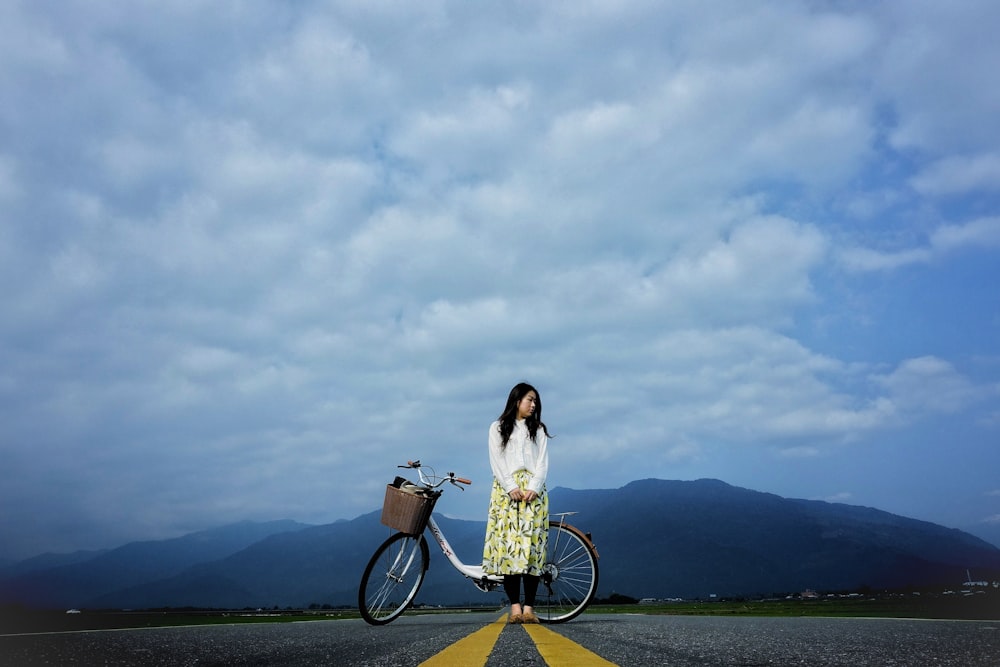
516	532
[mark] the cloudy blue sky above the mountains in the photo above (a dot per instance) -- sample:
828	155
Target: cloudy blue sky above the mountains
253	255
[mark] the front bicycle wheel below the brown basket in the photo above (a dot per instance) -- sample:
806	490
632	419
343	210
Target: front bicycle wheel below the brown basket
392	578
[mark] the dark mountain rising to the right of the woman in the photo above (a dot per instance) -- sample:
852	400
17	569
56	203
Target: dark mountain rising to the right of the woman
693	539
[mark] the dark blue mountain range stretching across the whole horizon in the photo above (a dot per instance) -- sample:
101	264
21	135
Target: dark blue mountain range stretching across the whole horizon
656	538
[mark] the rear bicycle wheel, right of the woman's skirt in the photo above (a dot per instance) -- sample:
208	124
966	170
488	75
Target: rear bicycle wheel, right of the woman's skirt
569	577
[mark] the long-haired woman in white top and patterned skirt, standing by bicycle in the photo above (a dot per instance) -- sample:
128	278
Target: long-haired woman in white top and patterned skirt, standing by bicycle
517	525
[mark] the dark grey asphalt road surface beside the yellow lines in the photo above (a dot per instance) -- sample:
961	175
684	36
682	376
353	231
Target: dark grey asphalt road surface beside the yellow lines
626	640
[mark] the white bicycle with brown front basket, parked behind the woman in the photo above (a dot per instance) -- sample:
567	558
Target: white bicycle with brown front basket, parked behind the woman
397	568
